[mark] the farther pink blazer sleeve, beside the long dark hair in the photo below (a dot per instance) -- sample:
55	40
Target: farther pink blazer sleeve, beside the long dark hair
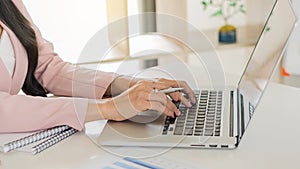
62	78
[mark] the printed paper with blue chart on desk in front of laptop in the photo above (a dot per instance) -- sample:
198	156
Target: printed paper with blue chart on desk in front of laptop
137	158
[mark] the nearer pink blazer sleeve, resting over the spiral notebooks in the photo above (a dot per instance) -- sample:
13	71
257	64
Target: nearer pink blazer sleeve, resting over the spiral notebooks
36	113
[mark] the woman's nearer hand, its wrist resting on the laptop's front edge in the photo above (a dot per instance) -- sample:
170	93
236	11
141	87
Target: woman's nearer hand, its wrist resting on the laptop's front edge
138	98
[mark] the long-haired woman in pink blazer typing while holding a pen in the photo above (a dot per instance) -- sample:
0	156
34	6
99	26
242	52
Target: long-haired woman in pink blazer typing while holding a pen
28	62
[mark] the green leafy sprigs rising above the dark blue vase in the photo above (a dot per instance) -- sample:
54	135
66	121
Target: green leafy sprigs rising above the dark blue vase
225	8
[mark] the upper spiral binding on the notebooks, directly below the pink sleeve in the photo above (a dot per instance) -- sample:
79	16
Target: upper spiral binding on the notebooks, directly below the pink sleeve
34	137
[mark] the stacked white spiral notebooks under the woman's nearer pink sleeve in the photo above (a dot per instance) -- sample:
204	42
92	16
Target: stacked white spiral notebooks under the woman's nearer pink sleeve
34	142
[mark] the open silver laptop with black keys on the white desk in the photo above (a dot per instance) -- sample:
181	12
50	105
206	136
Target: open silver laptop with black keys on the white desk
220	117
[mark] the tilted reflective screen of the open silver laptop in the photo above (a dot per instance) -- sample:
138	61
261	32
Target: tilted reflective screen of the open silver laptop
268	51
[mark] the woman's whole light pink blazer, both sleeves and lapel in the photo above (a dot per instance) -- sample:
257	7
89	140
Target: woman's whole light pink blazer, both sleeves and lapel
19	113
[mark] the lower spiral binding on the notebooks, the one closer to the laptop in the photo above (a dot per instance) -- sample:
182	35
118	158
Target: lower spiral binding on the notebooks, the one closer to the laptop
53	140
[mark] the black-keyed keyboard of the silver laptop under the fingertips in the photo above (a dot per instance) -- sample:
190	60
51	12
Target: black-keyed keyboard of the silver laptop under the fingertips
202	119
